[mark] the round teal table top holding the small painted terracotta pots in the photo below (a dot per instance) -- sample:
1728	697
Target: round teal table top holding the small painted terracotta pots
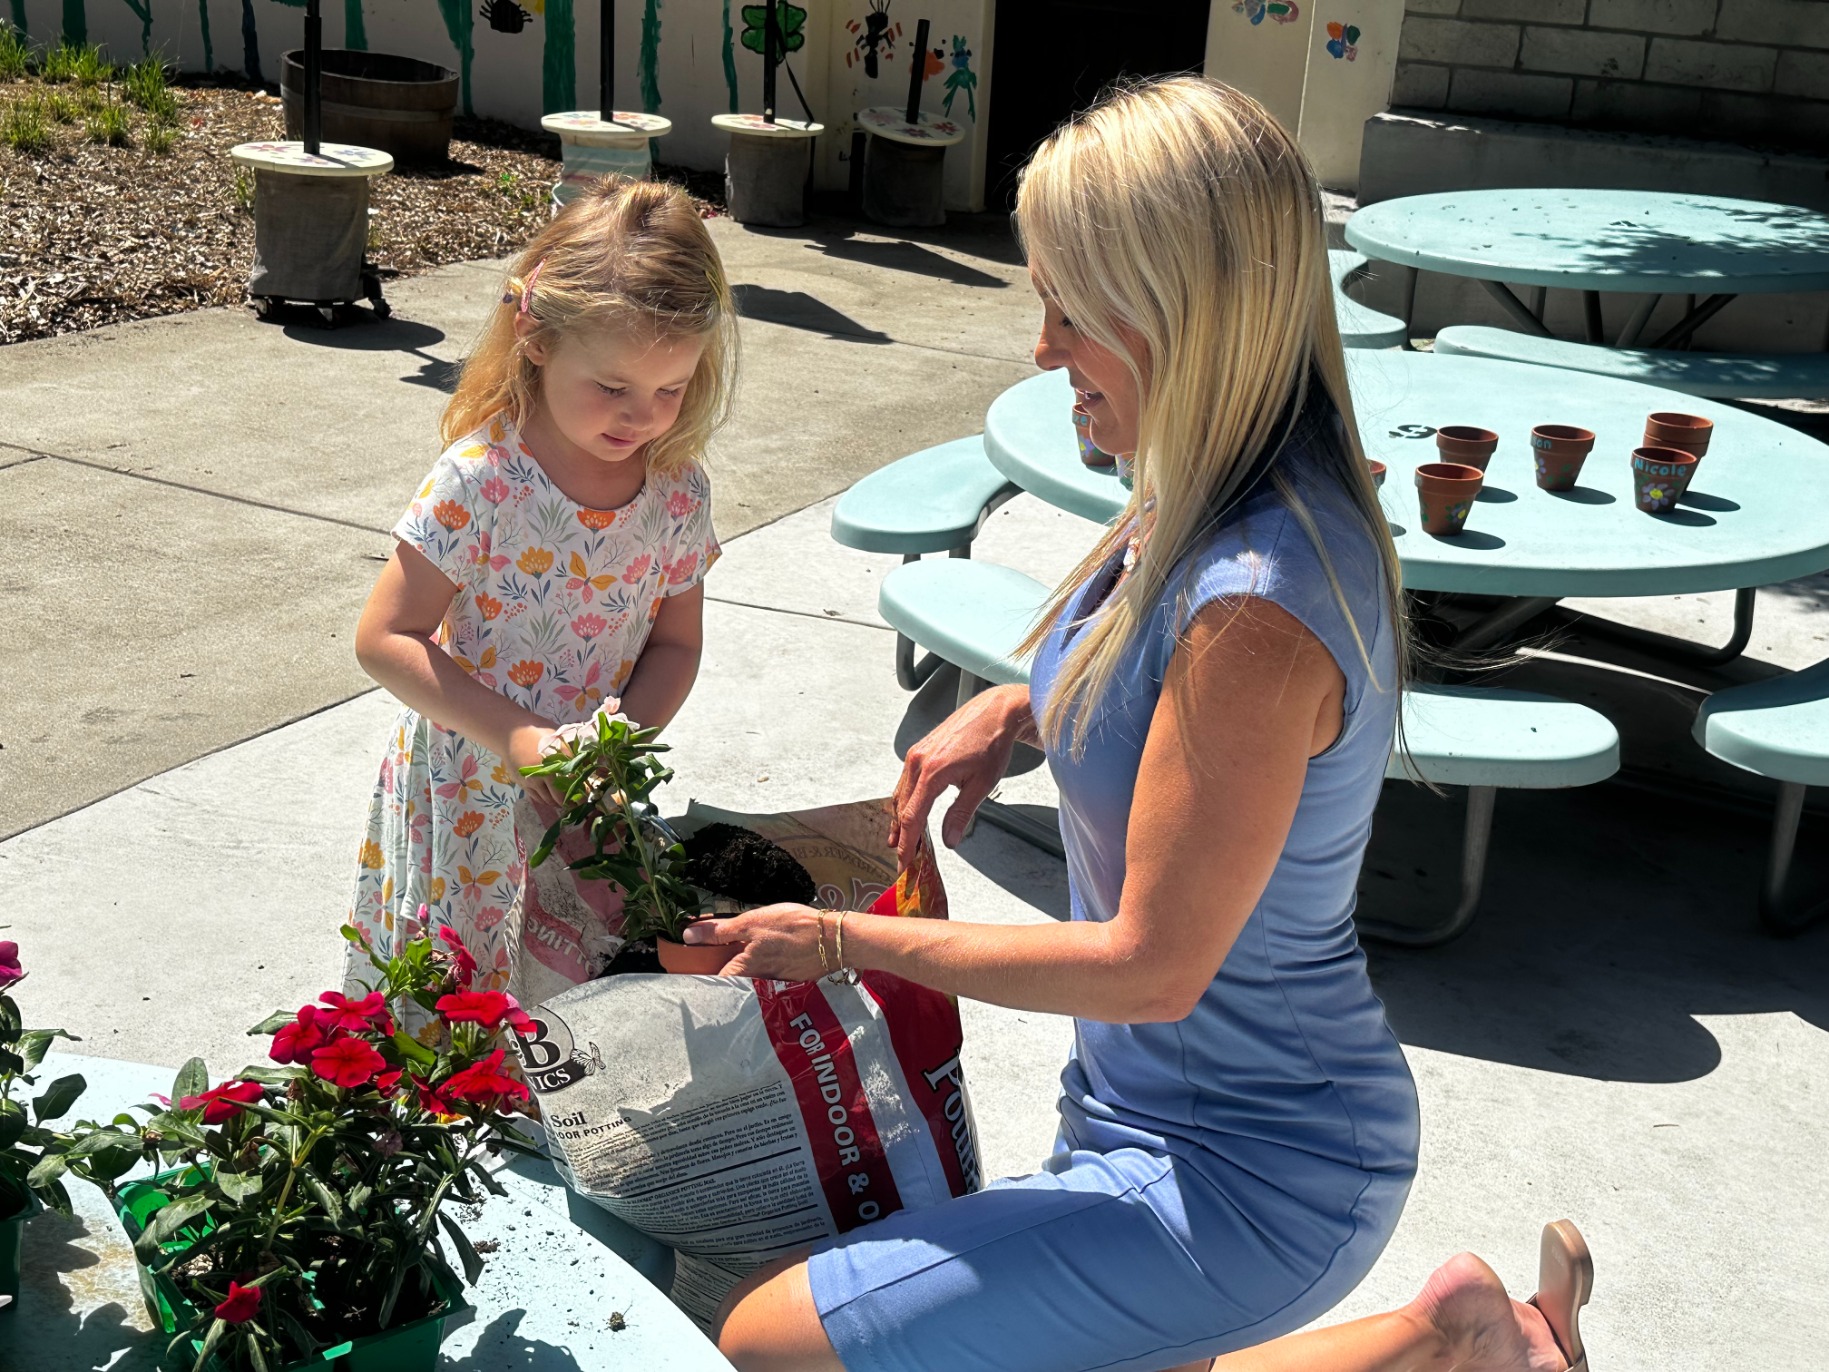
1757	515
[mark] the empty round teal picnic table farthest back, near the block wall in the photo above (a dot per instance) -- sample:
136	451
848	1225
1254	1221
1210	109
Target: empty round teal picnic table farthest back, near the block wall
1638	242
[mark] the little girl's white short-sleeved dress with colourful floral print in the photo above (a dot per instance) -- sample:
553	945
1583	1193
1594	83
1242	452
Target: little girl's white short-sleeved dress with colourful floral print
553	610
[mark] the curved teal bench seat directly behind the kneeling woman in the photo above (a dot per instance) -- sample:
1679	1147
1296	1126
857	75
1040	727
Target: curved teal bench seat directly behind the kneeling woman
976	616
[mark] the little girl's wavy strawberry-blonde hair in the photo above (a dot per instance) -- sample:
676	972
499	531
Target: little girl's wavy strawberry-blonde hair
625	255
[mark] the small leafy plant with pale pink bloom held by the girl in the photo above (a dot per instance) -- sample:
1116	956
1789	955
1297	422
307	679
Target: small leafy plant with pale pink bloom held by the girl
604	789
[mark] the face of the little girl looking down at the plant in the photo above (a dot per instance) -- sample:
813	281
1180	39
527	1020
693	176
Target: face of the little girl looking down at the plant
612	391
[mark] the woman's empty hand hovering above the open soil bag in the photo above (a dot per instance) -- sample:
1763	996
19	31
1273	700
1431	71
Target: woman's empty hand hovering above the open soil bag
972	753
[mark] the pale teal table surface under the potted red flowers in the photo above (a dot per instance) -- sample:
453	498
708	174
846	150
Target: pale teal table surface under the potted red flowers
559	1272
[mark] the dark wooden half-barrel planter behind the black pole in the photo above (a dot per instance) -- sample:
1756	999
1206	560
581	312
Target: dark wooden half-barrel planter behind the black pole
378	102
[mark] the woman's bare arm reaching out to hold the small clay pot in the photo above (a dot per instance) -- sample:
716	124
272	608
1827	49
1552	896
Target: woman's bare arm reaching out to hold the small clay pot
1250	698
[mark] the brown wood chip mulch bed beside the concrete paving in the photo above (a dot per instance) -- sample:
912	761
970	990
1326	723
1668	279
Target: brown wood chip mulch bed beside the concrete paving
94	235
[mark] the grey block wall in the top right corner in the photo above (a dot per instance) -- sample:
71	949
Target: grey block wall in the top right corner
1746	70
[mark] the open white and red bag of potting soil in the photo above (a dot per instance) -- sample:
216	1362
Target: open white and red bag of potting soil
740	1120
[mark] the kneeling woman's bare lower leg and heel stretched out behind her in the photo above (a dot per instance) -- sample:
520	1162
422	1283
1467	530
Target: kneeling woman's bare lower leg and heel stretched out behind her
1462	1322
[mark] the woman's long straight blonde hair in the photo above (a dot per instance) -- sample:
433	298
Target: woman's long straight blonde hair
1182	217
